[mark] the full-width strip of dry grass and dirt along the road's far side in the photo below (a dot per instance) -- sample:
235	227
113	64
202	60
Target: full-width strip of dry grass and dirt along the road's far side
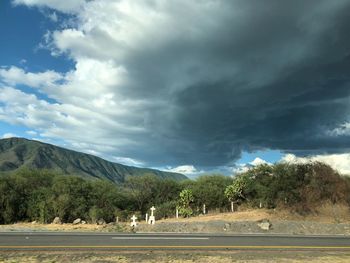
329	219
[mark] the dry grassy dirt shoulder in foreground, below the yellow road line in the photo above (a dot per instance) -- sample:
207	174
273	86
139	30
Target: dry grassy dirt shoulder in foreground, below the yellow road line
177	257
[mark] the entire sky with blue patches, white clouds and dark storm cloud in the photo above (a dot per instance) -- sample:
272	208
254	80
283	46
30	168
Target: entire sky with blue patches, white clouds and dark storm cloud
193	86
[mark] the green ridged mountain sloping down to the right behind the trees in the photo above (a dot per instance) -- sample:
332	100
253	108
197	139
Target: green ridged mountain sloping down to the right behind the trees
17	153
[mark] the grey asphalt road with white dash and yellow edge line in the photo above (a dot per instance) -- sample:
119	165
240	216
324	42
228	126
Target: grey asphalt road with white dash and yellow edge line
77	241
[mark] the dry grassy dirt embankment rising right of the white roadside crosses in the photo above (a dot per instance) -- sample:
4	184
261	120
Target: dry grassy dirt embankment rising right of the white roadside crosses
328	220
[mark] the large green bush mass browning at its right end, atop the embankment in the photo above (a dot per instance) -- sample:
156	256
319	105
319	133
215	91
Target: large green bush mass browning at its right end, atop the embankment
302	186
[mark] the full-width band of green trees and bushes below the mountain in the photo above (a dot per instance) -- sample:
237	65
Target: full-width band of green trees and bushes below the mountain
40	195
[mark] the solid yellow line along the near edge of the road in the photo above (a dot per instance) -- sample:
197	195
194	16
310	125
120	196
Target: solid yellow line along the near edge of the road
181	247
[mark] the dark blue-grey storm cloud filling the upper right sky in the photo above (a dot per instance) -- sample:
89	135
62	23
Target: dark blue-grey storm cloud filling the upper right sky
276	77
